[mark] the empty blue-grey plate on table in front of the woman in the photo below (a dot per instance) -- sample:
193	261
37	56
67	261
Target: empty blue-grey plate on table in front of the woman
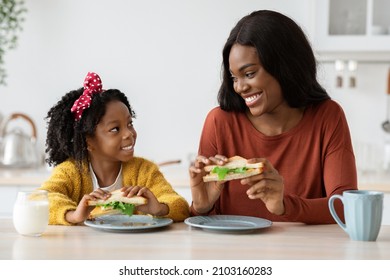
228	223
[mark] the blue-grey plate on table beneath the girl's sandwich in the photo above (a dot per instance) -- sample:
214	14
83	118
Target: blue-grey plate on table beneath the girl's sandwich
128	223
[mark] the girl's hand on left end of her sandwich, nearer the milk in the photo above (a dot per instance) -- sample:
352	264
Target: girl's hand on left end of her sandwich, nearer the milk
82	211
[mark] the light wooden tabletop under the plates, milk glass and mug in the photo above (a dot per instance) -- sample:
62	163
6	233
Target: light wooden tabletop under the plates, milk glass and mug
179	241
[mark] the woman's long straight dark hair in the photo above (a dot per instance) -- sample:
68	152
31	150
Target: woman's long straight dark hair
284	52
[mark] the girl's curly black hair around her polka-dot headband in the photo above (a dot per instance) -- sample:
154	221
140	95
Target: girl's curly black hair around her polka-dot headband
66	138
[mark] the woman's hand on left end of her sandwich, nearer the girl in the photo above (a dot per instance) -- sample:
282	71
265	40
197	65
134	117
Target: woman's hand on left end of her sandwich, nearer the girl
204	195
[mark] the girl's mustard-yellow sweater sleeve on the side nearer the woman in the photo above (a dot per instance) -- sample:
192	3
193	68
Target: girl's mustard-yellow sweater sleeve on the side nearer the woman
150	176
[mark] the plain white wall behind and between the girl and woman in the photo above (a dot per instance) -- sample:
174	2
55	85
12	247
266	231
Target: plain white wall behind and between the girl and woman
165	55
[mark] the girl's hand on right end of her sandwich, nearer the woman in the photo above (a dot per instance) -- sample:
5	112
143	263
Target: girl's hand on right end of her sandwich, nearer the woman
153	207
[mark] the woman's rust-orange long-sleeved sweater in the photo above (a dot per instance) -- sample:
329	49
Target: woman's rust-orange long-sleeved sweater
315	158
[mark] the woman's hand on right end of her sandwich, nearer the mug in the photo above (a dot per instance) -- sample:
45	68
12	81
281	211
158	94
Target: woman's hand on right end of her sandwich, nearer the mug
267	186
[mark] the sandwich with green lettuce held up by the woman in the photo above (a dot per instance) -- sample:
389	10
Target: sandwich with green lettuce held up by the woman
236	168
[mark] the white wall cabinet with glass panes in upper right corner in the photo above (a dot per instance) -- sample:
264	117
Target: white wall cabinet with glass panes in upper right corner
352	27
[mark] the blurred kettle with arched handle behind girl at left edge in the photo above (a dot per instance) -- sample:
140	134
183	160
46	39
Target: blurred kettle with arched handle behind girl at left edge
18	149
